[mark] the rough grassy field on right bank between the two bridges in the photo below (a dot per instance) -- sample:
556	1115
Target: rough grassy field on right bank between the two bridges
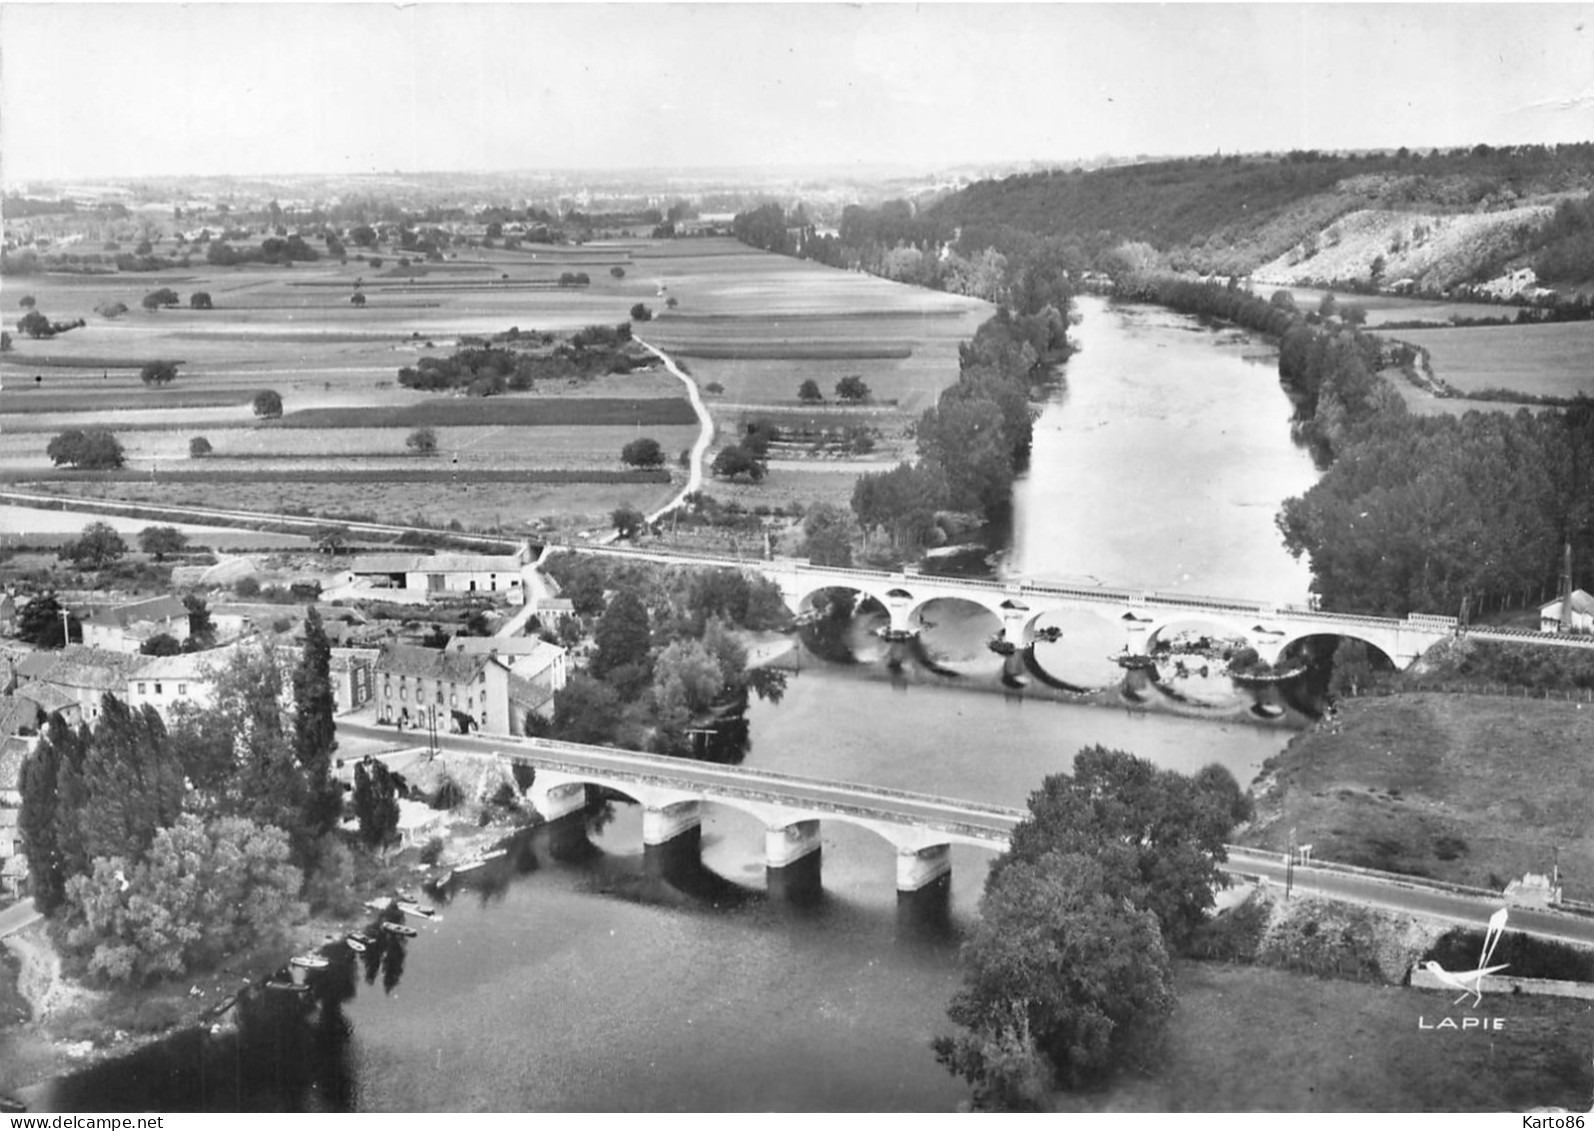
1466	789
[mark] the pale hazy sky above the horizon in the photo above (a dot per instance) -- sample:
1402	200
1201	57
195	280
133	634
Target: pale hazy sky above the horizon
259	88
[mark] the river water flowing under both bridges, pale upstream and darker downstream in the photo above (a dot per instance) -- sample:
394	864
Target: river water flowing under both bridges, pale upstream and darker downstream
576	982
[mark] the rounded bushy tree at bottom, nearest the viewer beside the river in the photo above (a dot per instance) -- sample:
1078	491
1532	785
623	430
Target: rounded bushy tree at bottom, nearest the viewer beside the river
1062	982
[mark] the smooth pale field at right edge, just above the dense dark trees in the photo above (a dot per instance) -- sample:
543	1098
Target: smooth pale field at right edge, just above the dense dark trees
1555	359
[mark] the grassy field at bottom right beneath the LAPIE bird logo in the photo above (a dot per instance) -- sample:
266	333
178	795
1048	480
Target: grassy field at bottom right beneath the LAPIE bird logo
1252	1039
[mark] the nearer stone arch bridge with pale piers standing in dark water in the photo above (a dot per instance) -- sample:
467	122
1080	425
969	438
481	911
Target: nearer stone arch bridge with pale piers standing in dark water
672	792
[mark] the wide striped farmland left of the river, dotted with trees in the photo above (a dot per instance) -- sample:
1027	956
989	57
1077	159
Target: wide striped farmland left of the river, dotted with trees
753	323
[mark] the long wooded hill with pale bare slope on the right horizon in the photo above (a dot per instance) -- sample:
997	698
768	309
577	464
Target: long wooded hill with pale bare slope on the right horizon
1439	221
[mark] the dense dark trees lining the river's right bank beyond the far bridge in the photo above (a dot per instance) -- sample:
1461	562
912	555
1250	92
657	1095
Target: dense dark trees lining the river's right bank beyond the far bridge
1415	514
